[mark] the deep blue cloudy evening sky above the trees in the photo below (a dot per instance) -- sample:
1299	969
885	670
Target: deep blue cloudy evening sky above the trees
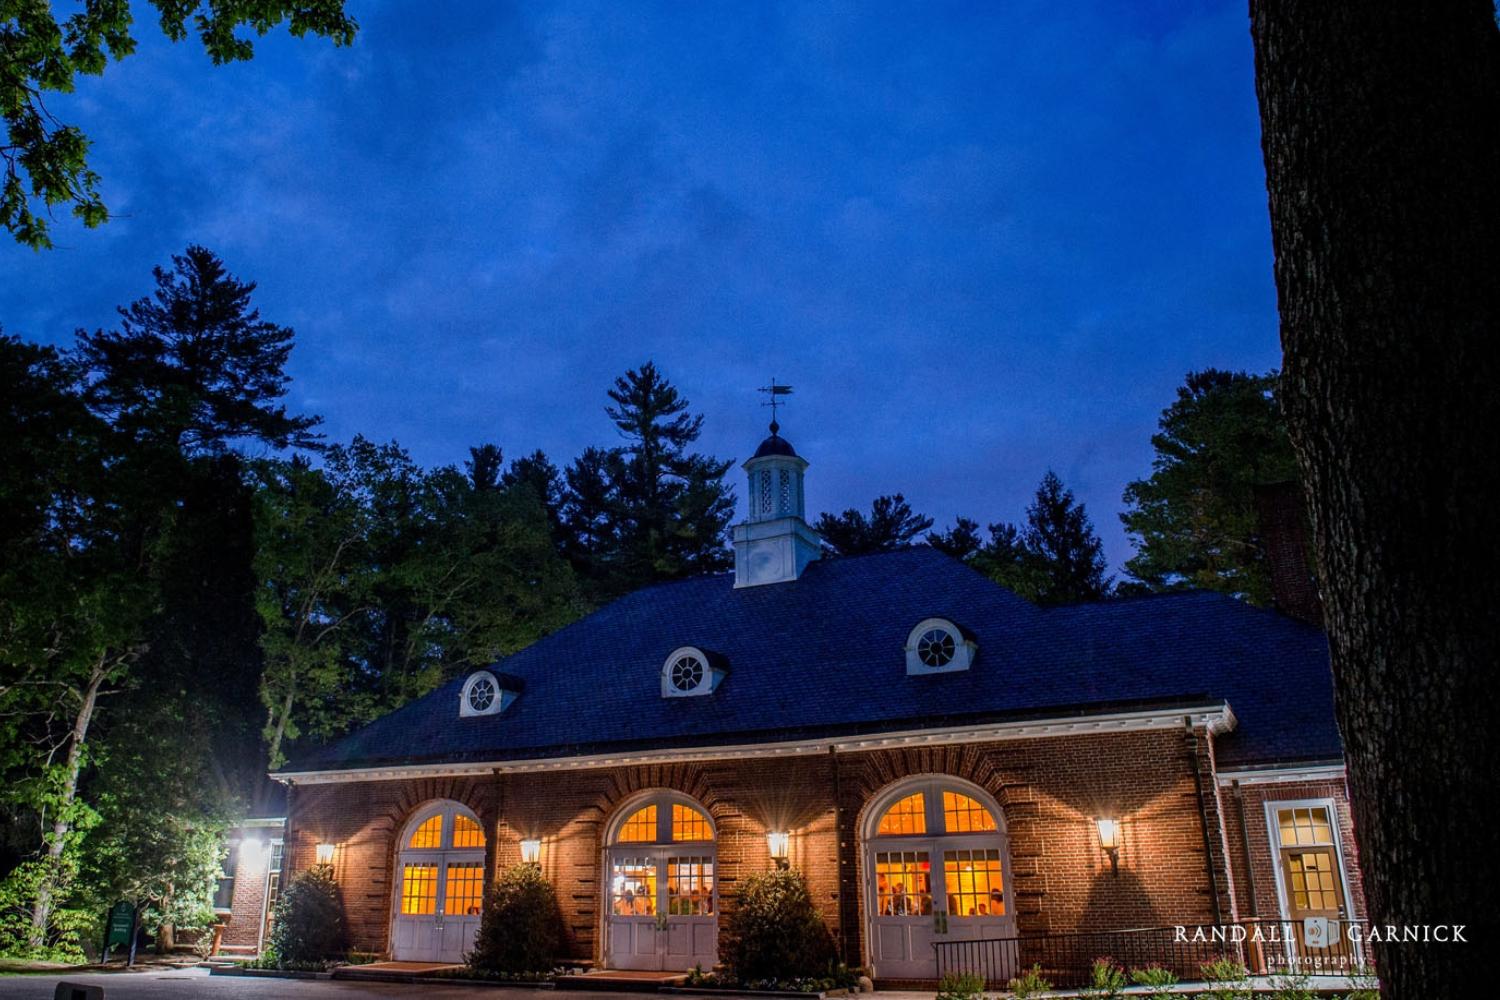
980	241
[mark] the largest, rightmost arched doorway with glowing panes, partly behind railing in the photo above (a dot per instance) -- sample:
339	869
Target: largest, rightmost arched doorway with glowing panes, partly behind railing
937	870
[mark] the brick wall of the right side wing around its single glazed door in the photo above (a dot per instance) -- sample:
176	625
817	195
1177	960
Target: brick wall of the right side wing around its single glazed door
1246	812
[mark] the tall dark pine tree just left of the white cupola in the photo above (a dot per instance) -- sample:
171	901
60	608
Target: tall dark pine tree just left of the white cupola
649	510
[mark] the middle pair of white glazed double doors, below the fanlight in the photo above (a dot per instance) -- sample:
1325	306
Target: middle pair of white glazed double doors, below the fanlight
662	912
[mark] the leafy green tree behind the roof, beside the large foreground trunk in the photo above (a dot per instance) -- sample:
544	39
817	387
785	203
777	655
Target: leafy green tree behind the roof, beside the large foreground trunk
1195	519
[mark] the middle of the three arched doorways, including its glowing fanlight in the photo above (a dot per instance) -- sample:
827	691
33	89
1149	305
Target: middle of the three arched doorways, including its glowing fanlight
662	906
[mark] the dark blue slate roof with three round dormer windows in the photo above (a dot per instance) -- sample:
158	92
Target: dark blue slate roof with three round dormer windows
824	657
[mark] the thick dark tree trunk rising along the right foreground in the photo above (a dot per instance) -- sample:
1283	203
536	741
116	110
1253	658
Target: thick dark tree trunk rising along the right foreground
1382	145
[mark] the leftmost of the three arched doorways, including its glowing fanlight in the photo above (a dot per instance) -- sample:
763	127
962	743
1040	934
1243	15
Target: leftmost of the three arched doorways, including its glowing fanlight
440	885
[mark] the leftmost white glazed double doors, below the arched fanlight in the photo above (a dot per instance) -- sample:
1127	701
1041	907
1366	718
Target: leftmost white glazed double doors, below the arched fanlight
439	908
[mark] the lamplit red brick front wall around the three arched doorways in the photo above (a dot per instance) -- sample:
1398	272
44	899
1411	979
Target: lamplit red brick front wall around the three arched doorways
1049	792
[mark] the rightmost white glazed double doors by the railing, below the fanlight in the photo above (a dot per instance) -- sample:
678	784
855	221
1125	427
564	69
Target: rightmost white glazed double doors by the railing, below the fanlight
931	891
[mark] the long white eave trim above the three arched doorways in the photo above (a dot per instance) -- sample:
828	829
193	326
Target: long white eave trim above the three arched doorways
1219	719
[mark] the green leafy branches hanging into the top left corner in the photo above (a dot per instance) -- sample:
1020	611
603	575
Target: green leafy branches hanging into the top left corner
46	161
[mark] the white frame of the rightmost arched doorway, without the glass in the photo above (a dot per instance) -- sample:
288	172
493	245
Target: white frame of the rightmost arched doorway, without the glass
937	840
